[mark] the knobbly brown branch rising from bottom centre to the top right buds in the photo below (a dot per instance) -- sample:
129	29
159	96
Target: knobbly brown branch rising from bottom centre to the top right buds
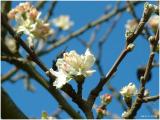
95	92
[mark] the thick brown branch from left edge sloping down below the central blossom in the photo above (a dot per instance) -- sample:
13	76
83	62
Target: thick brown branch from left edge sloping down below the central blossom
26	66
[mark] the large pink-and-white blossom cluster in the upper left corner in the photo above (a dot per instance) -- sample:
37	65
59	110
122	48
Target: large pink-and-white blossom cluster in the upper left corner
28	21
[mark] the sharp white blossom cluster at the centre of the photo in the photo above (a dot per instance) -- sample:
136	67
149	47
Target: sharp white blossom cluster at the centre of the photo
71	65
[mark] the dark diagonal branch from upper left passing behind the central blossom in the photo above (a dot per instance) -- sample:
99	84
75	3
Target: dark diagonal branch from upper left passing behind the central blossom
67	88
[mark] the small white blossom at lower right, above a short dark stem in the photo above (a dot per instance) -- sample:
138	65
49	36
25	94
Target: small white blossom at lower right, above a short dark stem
129	90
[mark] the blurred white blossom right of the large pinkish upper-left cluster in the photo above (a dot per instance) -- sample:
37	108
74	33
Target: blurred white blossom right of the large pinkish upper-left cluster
63	22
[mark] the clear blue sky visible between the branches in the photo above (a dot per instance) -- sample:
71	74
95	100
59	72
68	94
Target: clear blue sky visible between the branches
32	104
